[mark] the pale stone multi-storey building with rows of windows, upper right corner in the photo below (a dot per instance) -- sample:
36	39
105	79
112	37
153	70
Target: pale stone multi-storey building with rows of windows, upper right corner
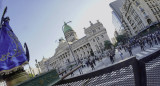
138	15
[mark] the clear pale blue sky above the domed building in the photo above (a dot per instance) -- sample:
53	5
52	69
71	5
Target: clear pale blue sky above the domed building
39	22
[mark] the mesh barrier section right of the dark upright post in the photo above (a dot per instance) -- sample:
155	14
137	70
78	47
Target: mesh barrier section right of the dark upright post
152	69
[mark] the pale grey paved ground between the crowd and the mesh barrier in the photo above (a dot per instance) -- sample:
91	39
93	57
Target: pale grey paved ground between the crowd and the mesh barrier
106	61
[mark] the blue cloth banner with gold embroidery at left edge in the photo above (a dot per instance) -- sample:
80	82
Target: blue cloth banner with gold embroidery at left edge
11	51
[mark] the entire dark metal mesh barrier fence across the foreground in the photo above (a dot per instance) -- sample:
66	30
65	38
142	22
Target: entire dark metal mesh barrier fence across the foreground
130	72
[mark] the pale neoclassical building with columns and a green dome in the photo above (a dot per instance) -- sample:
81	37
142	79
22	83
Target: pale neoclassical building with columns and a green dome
93	42
